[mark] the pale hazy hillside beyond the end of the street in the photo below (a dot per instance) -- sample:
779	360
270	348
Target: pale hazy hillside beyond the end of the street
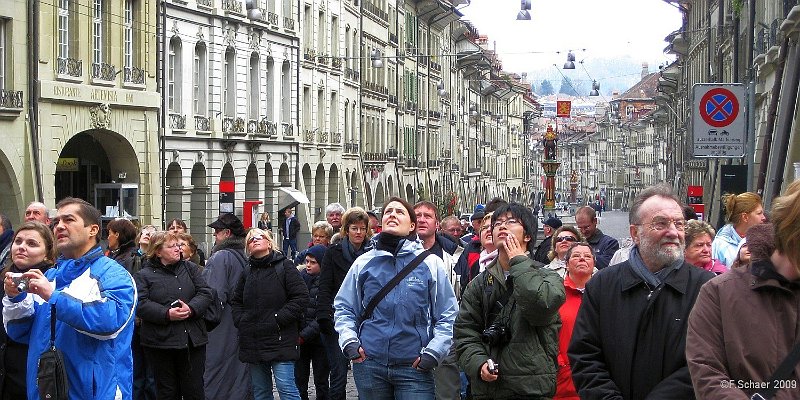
615	75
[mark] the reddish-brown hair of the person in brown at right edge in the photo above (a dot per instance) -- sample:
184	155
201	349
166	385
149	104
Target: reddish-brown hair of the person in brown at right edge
786	214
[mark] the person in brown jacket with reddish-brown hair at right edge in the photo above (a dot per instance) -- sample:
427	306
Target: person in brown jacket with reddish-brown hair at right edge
744	322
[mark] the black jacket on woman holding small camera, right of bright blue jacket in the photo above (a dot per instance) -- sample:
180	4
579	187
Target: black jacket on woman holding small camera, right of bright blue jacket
158	286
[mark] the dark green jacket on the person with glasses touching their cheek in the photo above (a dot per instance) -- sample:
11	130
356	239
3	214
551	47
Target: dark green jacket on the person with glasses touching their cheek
527	363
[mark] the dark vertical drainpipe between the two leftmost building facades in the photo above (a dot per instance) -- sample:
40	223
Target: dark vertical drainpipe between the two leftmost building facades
33	94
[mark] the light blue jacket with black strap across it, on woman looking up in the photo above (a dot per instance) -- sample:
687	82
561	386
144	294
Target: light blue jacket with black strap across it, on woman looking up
416	317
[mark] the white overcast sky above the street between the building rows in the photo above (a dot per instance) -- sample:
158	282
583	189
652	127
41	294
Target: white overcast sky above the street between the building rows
602	27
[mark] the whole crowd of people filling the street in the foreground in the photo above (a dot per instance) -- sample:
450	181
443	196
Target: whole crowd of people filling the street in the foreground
415	304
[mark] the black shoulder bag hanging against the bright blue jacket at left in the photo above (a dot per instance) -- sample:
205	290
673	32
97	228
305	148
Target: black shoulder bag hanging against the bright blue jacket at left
51	374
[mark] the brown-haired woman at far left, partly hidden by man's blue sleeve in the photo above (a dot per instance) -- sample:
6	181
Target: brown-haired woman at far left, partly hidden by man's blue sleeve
32	247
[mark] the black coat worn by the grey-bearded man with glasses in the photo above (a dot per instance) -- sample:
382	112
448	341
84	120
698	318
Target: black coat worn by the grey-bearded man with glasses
629	342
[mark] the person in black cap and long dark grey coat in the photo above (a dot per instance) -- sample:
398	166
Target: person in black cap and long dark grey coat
226	377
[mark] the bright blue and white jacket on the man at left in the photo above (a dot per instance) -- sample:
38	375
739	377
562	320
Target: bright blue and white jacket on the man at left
95	299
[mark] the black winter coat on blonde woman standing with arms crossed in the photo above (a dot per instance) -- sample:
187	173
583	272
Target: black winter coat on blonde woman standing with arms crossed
267	310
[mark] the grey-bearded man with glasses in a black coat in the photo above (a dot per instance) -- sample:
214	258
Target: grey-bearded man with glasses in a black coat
630	333
